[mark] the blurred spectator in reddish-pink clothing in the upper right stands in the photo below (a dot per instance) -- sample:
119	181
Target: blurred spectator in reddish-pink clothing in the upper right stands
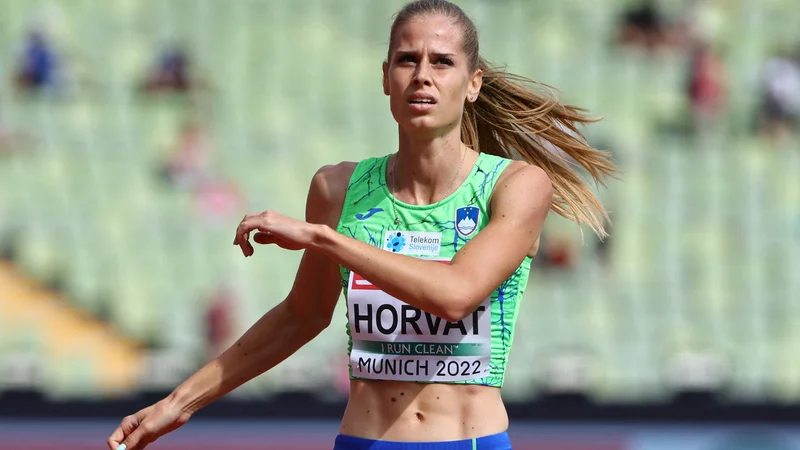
706	86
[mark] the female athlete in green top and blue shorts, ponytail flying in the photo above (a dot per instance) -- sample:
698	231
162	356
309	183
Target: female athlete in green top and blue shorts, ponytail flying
432	245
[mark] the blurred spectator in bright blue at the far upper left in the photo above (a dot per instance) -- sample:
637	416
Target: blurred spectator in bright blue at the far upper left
37	65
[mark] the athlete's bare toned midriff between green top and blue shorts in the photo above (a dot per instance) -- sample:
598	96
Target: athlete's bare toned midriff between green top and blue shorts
416	412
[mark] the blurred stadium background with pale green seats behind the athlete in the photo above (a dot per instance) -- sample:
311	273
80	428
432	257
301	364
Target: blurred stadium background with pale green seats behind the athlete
134	134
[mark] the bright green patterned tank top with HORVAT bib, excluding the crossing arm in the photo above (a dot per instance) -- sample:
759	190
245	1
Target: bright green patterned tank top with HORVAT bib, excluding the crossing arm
391	340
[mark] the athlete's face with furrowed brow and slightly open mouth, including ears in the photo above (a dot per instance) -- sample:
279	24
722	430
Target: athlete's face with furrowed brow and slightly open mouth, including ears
428	76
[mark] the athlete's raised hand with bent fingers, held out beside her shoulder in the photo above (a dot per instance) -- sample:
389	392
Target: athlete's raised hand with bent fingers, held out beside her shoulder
275	228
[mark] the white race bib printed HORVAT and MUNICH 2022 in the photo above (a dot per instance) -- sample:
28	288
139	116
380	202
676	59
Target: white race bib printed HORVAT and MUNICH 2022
395	341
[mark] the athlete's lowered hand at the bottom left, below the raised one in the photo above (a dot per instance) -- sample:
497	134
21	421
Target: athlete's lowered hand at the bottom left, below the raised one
143	428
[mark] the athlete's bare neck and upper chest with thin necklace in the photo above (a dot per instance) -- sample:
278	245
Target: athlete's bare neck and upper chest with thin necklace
425	171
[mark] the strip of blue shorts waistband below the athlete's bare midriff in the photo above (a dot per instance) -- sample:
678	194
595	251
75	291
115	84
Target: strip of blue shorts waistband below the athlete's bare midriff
498	441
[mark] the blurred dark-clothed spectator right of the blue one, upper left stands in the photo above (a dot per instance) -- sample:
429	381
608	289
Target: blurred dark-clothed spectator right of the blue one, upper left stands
171	73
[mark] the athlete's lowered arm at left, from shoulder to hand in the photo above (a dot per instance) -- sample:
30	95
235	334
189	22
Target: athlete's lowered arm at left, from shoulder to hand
305	312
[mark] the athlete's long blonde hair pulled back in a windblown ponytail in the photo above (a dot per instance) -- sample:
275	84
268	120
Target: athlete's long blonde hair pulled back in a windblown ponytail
513	120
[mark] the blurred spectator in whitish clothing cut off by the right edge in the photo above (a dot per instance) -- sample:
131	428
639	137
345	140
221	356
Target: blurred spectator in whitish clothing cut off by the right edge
780	96
